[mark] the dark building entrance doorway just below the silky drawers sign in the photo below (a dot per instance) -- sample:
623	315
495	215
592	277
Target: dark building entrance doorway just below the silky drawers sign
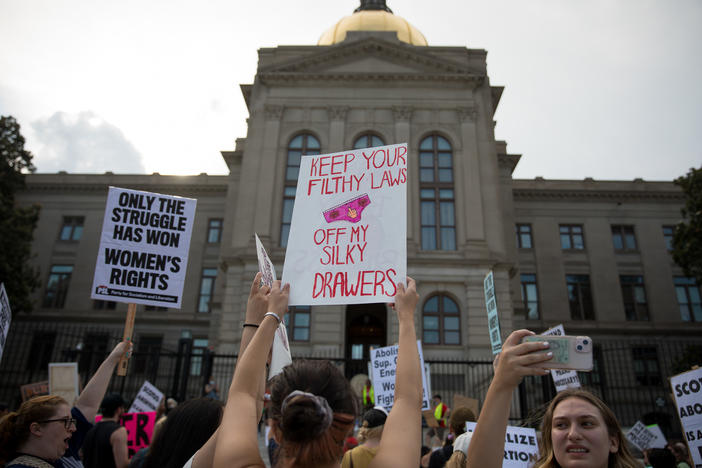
366	327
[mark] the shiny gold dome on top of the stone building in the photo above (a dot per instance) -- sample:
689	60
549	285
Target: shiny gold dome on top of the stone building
373	20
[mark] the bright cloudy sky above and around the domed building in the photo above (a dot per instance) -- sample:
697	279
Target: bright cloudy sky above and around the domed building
610	89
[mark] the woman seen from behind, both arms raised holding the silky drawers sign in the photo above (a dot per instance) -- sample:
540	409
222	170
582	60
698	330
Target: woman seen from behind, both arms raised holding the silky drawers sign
312	405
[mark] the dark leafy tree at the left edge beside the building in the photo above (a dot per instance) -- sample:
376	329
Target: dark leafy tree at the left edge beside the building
17	223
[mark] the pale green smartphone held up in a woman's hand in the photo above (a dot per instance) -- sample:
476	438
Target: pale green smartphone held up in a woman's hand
569	352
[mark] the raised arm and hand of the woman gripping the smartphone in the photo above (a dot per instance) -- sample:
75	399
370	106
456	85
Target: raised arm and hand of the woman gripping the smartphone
516	360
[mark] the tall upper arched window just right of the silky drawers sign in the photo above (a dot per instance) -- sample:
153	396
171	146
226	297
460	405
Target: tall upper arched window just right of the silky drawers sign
436	194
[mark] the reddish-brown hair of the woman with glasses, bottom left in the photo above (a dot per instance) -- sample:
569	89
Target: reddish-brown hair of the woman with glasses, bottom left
14	427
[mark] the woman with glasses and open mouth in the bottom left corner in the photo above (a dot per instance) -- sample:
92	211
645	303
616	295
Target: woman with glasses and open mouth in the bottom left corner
37	435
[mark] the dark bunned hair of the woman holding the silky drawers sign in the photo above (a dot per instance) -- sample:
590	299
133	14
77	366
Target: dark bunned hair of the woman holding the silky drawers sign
298	432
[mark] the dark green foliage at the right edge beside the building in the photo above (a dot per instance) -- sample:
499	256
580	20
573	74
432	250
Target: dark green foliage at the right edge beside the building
687	238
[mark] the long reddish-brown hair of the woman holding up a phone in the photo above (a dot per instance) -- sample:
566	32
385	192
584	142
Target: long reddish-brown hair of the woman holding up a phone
620	459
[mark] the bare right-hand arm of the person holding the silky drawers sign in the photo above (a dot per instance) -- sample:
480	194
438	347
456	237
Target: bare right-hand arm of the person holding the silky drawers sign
400	442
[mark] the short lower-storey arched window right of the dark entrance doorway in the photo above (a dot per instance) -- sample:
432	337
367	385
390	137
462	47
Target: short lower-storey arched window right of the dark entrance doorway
441	321
